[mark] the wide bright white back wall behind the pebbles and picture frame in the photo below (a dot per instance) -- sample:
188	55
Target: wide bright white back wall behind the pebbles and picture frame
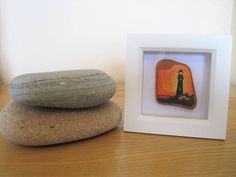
47	35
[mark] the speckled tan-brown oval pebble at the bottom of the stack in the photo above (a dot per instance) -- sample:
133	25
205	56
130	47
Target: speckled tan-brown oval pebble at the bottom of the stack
35	126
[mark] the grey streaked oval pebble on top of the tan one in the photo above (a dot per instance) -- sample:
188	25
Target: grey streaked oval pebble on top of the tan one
63	89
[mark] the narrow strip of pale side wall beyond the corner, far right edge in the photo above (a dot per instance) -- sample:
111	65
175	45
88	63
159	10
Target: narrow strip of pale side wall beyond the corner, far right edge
233	67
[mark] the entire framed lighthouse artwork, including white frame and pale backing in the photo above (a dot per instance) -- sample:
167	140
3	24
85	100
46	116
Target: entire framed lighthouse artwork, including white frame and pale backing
177	85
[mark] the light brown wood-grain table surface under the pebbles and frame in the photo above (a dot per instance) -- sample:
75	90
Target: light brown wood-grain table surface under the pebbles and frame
119	153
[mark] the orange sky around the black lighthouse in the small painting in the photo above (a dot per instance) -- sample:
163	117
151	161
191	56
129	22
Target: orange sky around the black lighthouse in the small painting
167	81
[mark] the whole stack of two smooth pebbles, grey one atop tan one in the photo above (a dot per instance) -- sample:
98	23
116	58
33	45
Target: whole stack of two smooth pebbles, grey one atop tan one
58	107
